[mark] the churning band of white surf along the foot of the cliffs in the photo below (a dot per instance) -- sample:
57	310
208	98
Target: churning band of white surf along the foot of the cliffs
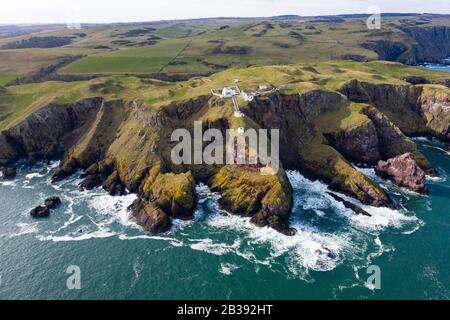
327	233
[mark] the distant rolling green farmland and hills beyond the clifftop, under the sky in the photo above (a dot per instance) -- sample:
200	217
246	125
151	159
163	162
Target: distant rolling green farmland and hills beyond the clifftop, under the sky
204	46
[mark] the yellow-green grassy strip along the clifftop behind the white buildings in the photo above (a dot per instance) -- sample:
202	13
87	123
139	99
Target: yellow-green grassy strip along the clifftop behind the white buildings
17	102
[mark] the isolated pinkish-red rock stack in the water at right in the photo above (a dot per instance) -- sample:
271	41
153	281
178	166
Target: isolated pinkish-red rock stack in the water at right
403	171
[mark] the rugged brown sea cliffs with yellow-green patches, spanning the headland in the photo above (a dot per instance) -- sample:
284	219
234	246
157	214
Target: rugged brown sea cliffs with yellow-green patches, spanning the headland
127	145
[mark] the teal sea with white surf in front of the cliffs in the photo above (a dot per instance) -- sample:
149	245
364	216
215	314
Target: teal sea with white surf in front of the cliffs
220	256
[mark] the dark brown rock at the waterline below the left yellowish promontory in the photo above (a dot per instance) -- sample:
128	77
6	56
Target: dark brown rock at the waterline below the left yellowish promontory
150	217
